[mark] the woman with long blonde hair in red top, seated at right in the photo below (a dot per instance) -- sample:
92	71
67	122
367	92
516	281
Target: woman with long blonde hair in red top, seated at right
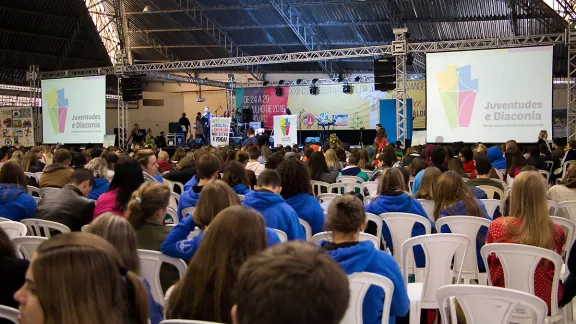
528	223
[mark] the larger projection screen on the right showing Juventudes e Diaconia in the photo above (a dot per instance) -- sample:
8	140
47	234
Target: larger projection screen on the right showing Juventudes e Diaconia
489	96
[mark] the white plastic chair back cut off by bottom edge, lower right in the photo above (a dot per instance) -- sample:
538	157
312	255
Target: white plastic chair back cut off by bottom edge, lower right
483	304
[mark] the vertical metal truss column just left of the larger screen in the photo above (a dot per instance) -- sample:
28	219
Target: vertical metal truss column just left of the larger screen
400	51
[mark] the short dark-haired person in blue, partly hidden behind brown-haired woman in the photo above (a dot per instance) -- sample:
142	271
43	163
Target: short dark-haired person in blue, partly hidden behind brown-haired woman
207	168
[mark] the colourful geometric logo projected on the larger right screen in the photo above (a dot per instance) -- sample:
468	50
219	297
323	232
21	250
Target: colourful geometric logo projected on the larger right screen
458	94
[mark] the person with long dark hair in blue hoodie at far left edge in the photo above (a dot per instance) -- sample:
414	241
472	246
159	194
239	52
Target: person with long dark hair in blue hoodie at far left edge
15	202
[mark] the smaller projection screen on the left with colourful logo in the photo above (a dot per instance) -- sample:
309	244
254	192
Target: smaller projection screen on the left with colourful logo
73	110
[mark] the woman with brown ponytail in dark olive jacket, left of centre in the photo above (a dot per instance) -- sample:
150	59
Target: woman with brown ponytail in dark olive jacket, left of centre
146	211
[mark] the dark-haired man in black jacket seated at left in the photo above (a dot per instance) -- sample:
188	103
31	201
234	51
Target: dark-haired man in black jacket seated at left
69	206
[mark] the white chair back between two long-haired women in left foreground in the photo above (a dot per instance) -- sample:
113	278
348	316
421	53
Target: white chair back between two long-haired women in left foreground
150	262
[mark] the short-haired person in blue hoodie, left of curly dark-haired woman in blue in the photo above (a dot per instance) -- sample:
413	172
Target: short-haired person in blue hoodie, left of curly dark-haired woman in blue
278	214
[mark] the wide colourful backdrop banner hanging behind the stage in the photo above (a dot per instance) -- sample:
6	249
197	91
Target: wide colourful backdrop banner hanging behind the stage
360	109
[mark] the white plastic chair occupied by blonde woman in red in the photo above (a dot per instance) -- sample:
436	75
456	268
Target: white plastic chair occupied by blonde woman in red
519	262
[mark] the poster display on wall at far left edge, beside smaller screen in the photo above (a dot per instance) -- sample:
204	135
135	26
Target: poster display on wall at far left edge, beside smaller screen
16	126
